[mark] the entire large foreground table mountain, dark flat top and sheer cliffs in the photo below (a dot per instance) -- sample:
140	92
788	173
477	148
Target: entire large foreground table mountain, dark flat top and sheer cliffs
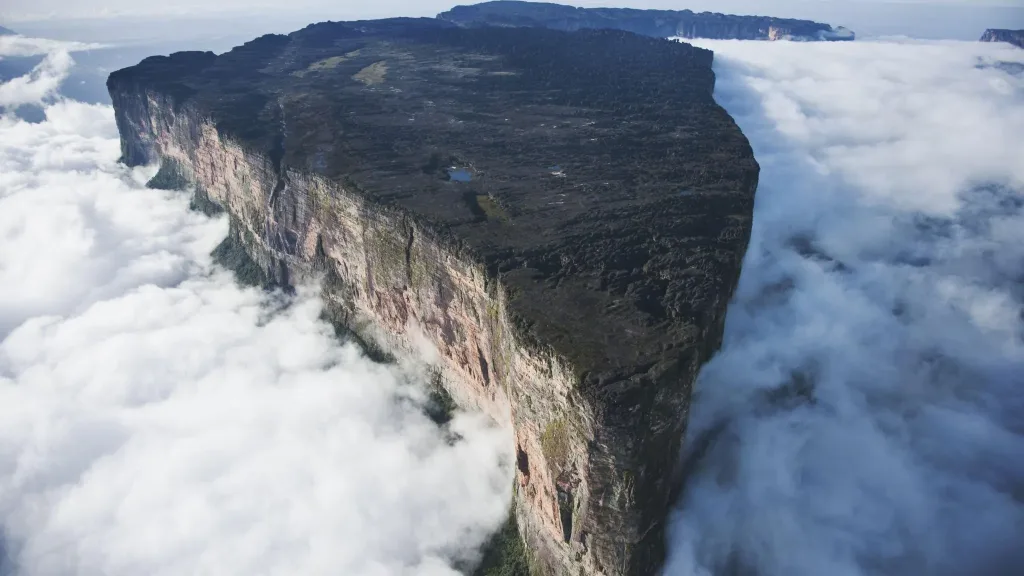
559	219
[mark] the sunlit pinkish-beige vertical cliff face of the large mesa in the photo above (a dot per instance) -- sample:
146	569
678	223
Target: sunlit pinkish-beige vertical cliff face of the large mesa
404	286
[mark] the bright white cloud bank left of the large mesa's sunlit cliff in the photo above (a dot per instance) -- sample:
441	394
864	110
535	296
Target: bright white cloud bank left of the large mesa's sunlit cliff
156	419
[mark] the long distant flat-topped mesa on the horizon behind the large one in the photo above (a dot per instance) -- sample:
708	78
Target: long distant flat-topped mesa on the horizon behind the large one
663	24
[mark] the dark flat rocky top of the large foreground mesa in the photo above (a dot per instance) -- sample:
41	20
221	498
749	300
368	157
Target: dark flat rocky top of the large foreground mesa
627	241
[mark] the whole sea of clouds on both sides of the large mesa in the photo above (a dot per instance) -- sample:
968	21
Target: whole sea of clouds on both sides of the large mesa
865	417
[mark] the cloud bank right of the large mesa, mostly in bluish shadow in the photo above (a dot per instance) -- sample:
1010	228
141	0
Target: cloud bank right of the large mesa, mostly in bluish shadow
883	289
